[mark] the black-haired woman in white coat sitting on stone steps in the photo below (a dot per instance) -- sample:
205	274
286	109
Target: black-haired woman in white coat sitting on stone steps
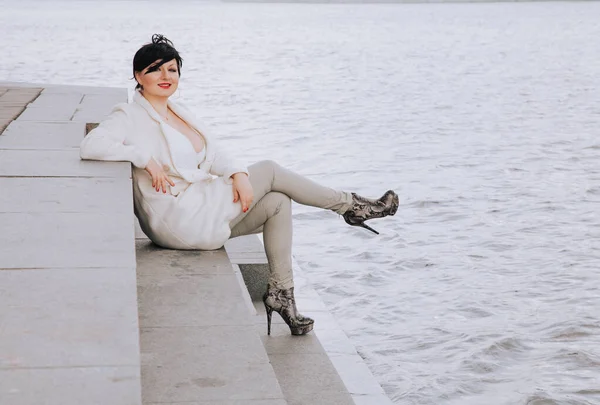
188	194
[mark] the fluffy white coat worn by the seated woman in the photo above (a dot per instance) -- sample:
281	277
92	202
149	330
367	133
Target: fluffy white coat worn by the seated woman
196	213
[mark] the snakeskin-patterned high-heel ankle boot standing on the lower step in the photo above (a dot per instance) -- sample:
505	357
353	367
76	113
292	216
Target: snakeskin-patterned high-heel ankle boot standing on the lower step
284	303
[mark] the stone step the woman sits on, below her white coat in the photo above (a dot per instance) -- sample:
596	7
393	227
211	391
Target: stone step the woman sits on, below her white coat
197	335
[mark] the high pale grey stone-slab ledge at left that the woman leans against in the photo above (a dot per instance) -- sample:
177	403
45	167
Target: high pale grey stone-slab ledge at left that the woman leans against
68	310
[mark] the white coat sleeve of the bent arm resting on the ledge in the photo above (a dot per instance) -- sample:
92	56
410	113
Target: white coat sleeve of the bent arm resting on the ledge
108	141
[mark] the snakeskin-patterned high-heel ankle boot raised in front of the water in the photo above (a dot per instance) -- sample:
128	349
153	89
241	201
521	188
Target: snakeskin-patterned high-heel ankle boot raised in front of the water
364	209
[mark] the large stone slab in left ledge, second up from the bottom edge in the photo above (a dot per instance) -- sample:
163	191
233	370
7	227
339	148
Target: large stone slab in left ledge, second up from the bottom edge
63	319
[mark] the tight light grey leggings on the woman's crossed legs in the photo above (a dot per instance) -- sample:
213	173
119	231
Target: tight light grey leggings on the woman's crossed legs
271	213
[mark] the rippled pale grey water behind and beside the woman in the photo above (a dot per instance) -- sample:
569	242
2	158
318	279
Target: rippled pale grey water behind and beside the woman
483	289
